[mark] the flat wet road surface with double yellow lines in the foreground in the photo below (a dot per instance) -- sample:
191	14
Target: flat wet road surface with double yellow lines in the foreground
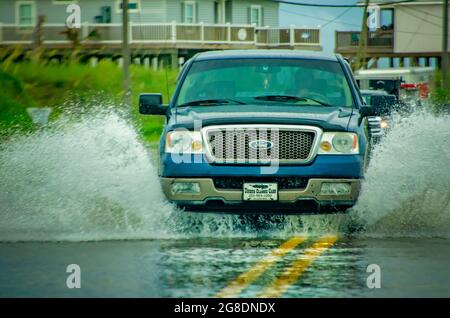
300	266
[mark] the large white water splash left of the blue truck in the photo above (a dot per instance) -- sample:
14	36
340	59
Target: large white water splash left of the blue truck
77	179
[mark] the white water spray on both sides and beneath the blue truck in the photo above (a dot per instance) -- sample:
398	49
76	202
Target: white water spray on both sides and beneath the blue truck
89	177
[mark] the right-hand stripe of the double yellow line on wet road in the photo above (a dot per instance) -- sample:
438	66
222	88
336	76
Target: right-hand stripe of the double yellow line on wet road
292	273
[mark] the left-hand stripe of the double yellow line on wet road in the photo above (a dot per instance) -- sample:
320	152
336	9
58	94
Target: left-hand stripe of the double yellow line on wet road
245	279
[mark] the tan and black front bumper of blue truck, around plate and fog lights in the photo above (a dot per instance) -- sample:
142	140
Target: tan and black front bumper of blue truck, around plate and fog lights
308	199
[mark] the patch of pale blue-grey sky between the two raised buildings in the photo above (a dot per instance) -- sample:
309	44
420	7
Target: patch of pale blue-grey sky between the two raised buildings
347	19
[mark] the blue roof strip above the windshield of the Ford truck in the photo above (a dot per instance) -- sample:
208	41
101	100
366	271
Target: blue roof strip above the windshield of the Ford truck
226	54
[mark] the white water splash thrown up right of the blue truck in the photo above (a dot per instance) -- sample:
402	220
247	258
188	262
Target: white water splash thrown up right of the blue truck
406	191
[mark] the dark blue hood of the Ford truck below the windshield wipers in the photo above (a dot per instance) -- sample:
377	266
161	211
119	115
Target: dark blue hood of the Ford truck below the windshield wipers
328	118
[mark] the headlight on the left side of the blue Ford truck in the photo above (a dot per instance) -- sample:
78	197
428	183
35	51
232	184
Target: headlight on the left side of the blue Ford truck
184	142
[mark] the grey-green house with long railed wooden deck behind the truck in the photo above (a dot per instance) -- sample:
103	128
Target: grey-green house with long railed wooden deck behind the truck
158	27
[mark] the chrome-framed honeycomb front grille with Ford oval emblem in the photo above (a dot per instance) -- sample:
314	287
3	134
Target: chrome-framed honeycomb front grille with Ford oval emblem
261	145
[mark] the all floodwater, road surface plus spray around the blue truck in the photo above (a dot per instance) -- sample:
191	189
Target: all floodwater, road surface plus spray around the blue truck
85	191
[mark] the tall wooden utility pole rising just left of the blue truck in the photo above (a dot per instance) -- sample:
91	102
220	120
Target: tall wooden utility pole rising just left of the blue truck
126	54
